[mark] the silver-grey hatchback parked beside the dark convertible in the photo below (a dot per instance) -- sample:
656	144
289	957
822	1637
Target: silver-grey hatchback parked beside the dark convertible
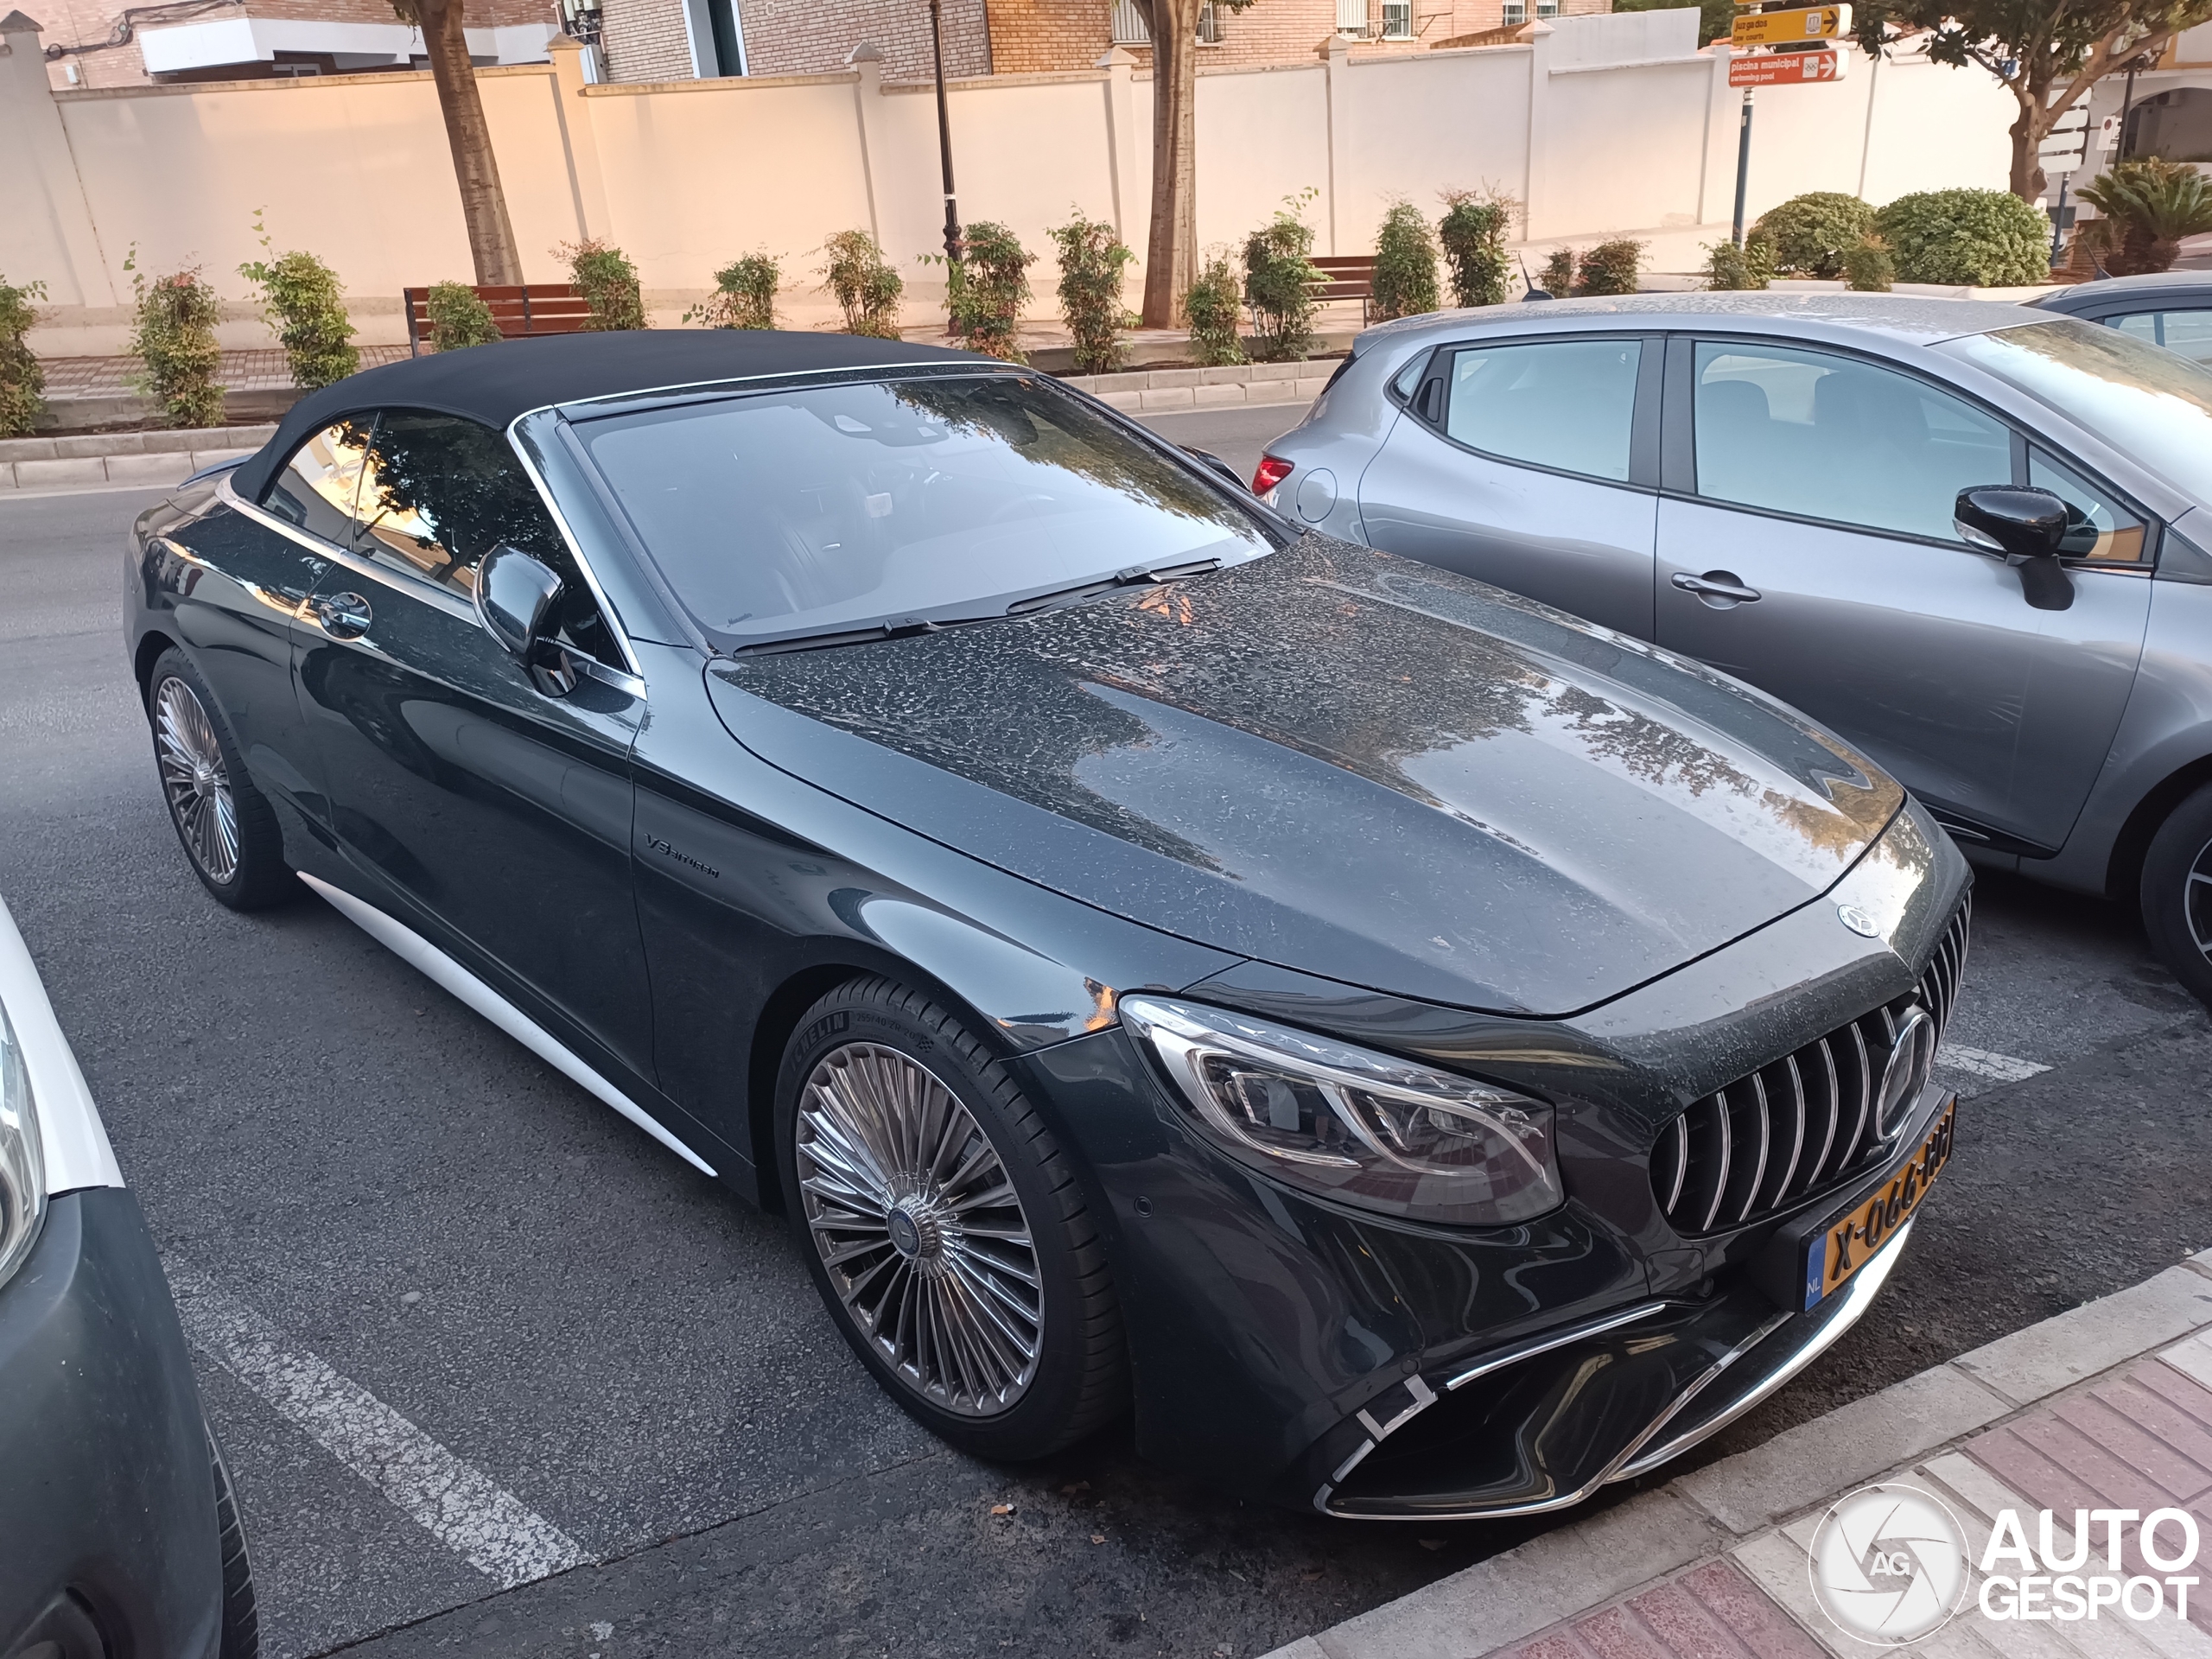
1968	539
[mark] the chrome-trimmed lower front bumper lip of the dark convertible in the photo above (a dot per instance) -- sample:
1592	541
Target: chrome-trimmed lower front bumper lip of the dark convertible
1651	1446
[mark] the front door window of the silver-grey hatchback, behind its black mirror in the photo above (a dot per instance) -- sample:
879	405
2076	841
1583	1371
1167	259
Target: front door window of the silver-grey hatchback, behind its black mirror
1830	437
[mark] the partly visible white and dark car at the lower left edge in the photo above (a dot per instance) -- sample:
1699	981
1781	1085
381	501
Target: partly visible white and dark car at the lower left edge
118	1532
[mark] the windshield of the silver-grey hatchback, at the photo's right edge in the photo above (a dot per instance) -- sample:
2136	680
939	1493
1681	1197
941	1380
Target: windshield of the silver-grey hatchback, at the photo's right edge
2145	401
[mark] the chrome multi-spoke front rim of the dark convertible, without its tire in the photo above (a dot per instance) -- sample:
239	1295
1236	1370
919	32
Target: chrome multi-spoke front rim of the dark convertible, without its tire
919	1229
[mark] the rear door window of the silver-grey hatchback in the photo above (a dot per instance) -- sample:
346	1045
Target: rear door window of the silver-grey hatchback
1556	404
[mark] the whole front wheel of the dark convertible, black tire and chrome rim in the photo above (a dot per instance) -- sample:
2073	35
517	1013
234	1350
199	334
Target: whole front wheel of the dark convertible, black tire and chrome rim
943	1227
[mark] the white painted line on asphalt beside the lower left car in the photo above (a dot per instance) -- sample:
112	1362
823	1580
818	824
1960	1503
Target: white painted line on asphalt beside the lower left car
455	1501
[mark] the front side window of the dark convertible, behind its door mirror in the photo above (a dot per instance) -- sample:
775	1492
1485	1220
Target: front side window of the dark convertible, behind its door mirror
441	492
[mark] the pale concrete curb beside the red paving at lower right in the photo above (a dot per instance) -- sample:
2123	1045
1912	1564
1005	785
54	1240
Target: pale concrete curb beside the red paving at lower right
1580	1567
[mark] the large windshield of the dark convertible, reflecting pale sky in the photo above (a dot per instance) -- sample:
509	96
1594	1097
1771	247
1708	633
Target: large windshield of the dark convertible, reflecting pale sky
835	510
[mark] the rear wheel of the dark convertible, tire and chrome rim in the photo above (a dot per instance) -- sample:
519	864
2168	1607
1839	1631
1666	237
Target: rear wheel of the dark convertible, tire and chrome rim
225	824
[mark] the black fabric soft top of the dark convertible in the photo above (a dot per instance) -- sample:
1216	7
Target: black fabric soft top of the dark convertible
494	384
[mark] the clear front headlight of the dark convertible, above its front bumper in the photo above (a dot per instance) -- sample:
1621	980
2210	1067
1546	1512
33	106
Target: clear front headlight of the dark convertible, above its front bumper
1355	1125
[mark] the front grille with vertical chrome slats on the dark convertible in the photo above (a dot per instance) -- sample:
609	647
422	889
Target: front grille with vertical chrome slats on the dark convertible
1797	1125
